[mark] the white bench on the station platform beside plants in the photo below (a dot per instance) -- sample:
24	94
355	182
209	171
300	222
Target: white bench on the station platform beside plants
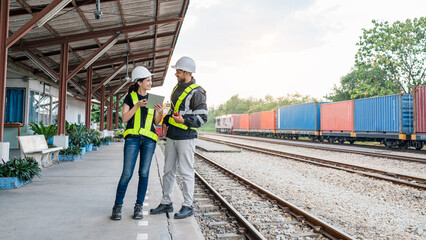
35	146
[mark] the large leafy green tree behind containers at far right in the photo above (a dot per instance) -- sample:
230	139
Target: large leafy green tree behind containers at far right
390	60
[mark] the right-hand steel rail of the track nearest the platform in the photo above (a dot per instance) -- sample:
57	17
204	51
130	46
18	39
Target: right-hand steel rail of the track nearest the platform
317	224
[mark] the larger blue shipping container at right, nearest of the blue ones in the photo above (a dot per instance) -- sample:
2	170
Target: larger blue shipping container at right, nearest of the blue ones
385	114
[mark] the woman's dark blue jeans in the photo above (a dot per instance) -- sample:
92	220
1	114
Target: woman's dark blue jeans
132	147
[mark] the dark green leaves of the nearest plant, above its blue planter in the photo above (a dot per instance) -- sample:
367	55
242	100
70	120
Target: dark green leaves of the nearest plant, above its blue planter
22	168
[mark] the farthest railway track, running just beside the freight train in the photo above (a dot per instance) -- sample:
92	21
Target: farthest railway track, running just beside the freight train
335	149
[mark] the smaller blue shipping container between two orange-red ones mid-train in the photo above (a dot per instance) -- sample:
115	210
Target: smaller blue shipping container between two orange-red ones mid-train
299	117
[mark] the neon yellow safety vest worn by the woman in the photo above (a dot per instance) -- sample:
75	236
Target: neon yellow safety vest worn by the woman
137	130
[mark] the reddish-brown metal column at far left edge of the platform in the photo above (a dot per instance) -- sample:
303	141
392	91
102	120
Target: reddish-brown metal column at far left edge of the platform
4	29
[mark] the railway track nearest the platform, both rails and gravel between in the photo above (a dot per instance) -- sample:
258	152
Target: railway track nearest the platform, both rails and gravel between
261	214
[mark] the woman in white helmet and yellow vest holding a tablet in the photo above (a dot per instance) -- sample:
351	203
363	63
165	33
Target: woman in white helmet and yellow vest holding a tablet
140	137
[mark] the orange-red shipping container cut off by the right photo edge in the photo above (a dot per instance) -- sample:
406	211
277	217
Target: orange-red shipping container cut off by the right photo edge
419	97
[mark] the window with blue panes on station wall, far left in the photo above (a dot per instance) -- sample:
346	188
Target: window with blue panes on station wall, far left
15	105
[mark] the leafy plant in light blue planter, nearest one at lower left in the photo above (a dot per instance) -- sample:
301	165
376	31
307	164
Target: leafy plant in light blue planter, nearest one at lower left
17	172
